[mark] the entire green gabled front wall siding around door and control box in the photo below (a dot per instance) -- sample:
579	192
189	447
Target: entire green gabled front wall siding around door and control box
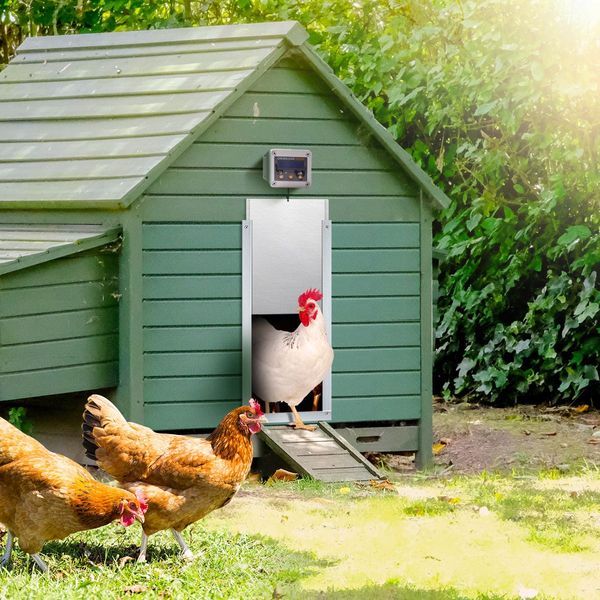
192	258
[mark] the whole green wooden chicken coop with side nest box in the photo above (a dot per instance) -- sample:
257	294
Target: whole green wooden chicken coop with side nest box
160	189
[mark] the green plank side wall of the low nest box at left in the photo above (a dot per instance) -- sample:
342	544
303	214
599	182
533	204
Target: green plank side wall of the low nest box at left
59	326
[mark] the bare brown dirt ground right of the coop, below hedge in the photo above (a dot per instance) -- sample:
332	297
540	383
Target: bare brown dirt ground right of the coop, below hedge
469	438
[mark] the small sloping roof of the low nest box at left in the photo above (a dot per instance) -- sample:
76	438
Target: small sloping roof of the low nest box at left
23	245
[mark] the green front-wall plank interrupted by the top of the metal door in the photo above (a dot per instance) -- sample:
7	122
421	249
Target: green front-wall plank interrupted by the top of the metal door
233	208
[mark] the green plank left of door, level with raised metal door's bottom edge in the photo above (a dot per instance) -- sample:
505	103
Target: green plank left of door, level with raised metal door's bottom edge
192	312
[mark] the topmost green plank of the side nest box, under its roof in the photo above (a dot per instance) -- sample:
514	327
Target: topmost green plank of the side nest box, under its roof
90	267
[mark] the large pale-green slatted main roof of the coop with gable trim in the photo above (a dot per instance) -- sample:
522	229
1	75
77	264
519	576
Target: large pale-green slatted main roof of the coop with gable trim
90	120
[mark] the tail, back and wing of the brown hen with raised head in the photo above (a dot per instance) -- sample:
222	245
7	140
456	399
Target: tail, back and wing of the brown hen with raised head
132	452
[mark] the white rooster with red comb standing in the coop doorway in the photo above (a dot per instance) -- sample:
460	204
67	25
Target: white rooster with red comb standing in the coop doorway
286	366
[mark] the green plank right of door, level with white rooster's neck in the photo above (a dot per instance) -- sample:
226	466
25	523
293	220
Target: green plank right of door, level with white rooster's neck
368	335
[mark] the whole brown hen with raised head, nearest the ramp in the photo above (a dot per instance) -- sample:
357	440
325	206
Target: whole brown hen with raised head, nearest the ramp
182	478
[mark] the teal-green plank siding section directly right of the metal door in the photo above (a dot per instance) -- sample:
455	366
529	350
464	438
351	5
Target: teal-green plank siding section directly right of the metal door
376	313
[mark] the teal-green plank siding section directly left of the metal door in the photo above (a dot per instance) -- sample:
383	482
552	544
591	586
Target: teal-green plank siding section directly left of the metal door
191	318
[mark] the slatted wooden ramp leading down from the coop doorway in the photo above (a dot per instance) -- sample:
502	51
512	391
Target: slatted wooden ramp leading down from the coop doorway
322	454
